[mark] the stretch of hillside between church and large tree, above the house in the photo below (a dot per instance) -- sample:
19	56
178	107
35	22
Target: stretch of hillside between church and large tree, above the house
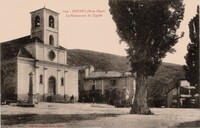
100	61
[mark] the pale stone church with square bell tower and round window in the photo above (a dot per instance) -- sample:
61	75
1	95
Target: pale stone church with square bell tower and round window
40	57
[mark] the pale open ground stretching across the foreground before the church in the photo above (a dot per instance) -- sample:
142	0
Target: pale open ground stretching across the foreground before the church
50	115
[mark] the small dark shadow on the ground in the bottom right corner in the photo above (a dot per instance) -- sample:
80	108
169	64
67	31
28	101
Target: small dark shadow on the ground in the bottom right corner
192	124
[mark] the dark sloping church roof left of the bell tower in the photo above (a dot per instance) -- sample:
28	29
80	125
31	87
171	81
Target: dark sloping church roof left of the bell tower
14	48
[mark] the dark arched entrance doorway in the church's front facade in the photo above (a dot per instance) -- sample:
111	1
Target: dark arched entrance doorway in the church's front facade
52	88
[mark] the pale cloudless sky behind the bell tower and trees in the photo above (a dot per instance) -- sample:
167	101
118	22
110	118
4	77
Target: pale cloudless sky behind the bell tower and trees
83	24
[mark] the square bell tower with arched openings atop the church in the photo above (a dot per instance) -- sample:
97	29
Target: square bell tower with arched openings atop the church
44	25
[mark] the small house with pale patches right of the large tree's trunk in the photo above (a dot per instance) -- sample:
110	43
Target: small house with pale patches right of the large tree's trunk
182	95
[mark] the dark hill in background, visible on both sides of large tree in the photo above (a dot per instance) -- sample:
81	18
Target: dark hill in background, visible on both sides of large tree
165	78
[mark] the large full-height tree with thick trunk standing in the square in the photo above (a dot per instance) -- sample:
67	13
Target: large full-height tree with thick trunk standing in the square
149	29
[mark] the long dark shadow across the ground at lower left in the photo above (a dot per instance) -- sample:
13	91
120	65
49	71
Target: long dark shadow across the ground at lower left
49	118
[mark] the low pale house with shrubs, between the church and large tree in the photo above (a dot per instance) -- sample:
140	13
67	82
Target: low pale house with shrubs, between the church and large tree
110	87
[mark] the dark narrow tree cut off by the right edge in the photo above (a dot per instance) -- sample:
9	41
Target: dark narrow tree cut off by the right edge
192	57
